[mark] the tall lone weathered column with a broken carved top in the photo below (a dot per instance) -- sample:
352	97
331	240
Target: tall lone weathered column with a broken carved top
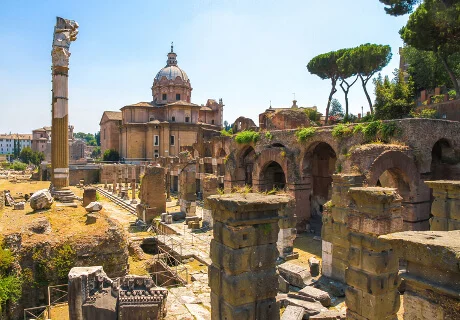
65	32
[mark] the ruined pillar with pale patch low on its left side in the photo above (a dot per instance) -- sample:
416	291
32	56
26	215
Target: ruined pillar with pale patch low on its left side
334	233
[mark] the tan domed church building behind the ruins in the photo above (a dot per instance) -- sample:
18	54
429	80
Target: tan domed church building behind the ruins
165	126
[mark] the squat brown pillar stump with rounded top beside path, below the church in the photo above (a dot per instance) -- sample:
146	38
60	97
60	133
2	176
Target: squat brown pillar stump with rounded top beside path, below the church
152	192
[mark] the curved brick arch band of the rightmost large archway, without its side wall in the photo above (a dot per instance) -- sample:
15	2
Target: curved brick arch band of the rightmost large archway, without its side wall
399	163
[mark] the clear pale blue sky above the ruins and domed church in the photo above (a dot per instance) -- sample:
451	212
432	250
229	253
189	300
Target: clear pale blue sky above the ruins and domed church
246	52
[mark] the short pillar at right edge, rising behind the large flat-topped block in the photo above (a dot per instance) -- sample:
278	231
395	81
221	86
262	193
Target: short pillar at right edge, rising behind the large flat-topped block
446	205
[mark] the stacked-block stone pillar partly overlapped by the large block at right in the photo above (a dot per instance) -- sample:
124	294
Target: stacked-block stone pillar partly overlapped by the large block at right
372	274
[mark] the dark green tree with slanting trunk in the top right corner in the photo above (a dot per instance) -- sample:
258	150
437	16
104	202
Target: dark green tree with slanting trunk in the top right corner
435	27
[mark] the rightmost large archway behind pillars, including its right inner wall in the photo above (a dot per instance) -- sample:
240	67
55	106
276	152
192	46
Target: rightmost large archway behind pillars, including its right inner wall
395	169
